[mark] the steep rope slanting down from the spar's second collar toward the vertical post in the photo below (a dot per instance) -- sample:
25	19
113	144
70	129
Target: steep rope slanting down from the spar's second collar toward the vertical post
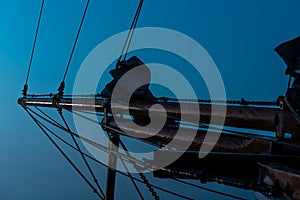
81	153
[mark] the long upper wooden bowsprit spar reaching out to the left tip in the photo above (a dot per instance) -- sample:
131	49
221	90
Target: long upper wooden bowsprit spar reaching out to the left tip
251	117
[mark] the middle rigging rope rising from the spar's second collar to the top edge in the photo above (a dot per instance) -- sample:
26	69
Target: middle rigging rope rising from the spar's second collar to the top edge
62	84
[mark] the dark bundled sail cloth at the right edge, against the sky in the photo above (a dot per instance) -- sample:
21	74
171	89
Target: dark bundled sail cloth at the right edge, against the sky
290	52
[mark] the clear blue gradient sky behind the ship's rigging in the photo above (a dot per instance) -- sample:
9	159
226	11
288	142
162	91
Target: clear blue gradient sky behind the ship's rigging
239	35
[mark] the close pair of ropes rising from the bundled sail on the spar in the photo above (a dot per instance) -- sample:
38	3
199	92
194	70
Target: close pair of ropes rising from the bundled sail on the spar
129	37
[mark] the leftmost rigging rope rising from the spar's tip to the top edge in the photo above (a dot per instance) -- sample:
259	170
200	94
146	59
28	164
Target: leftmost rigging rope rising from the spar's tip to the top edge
25	89
